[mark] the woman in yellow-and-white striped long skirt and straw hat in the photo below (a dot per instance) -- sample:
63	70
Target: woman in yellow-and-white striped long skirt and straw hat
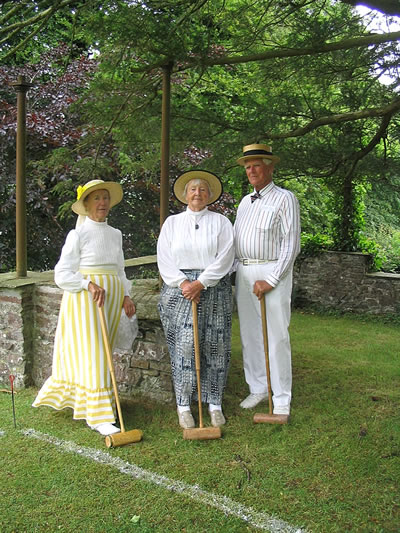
91	273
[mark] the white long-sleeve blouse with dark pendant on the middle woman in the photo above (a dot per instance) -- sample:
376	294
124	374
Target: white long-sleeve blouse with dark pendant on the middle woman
195	240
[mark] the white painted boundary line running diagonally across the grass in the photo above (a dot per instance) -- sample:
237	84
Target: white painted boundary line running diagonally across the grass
222	503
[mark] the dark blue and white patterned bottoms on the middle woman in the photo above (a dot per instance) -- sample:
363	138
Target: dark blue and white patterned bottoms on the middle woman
215	323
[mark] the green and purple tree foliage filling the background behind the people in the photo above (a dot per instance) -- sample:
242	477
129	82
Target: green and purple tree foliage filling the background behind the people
97	112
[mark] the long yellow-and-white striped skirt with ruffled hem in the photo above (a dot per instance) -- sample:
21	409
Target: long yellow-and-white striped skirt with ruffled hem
80	377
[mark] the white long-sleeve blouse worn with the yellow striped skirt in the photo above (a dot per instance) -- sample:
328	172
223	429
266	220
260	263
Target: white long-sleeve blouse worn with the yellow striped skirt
93	246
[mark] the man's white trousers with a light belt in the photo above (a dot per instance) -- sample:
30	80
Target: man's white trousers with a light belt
277	303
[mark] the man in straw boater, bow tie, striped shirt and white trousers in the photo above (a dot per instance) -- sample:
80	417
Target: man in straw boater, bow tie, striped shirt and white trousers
267	241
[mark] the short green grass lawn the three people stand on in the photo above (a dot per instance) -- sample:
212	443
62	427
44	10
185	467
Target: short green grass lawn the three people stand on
334	468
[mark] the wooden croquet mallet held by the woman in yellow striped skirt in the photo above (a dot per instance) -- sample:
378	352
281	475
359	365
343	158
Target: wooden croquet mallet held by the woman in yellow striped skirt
125	437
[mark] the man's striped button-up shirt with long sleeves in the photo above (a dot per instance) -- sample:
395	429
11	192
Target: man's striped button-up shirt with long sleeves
269	228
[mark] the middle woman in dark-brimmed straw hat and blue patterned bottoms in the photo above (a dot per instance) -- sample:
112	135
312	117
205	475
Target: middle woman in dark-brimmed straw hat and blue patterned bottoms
195	254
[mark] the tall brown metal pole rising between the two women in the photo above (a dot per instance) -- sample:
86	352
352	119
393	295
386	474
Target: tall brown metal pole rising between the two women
165	135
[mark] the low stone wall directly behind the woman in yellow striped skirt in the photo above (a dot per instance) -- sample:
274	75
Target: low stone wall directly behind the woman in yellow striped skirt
28	319
